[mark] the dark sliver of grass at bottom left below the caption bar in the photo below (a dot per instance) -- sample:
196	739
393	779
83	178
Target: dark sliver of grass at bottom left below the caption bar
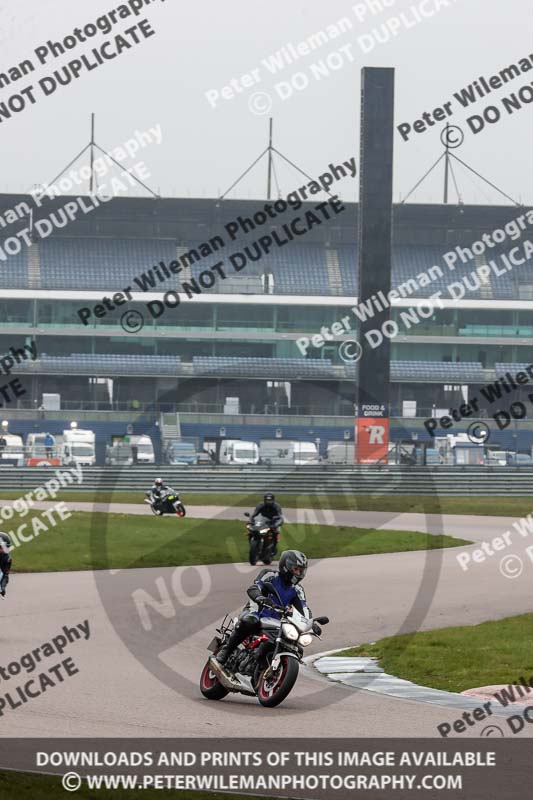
15	785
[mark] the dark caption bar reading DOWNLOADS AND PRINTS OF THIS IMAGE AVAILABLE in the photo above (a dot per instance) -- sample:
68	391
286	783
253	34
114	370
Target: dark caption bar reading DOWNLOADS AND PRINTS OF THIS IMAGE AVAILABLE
297	768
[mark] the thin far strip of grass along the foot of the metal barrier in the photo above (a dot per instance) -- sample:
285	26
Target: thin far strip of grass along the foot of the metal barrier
484	506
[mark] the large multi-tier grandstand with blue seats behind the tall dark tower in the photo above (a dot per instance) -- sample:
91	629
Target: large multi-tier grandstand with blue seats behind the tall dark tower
239	339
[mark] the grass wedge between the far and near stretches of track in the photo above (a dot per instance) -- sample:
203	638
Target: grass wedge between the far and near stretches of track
82	541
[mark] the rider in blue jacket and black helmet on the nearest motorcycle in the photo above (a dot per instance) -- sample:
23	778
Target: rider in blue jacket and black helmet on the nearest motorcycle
270	589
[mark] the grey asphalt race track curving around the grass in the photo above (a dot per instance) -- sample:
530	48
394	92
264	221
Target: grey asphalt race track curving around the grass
366	597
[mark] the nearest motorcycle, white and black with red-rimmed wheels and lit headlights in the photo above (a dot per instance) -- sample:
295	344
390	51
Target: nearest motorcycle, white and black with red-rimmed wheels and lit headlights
266	664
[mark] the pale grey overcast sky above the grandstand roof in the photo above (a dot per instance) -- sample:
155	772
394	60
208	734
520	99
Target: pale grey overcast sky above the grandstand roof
202	45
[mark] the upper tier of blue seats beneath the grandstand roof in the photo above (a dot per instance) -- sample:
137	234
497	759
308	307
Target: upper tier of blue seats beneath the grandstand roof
299	268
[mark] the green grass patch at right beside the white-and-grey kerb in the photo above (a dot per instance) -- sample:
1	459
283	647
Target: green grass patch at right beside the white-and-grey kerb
460	658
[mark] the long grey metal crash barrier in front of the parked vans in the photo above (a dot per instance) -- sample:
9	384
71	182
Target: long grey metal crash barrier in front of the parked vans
475	481
